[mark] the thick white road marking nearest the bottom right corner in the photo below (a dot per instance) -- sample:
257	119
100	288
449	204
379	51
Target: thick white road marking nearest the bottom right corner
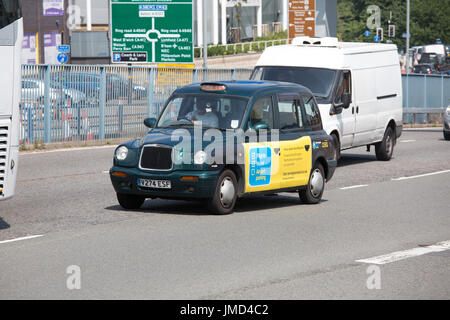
405	254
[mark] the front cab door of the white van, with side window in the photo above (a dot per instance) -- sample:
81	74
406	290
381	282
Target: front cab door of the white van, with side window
346	119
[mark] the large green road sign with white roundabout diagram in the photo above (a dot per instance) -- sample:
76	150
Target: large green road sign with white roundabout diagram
151	31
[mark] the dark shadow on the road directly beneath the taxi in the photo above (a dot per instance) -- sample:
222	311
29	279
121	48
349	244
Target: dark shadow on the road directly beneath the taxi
198	208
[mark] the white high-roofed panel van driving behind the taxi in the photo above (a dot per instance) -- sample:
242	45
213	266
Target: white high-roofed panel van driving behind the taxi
358	87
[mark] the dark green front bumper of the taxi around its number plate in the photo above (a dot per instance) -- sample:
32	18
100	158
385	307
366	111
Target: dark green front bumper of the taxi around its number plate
203	188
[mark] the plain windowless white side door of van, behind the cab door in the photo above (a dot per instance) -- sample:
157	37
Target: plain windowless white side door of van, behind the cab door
365	107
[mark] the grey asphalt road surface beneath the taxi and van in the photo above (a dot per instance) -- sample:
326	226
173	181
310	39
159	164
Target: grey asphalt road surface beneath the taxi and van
270	248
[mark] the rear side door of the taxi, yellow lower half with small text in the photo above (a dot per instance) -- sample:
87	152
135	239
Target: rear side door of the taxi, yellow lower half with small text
295	142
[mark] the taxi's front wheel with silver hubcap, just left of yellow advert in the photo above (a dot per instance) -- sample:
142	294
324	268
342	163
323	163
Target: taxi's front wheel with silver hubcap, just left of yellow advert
225	196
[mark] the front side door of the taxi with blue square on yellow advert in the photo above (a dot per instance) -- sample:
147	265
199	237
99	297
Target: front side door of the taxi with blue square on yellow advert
262	155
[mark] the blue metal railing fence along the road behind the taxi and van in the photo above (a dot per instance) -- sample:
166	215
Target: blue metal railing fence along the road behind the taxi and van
82	102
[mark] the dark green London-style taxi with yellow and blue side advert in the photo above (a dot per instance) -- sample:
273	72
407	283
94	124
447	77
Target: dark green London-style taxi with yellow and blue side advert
225	140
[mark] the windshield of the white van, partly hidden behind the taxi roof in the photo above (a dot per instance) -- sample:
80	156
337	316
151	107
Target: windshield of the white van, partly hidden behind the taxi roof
319	81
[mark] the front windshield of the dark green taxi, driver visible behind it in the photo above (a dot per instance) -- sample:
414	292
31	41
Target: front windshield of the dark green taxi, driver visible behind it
208	110
